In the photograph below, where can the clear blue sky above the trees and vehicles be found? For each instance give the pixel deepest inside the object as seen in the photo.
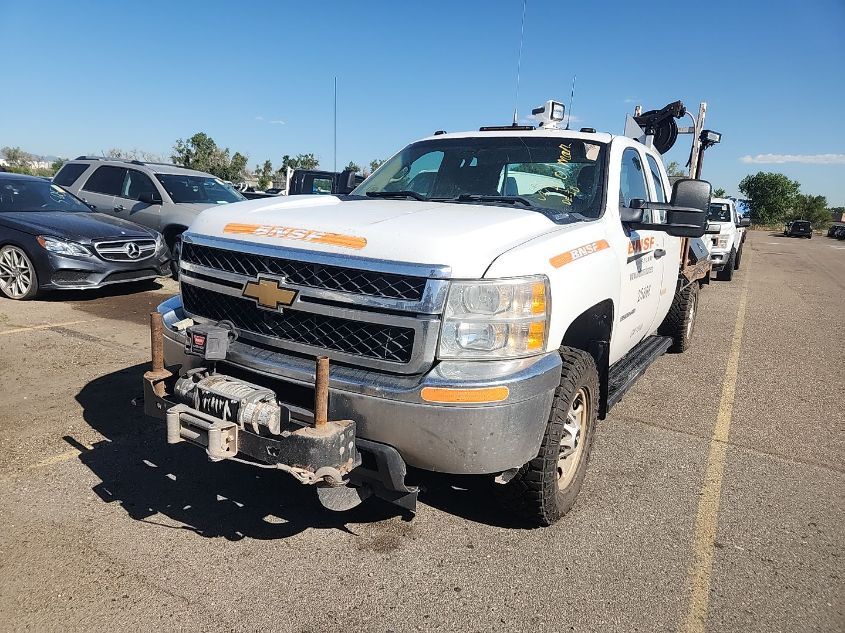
(87, 76)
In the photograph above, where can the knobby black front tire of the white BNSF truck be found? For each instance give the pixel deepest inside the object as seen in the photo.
(534, 493)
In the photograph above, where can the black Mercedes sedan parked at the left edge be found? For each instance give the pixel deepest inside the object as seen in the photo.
(50, 239)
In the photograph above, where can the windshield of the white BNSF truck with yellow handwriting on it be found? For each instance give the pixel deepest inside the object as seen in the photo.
(554, 173)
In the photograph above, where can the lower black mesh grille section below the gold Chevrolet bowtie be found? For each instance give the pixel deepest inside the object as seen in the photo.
(370, 340)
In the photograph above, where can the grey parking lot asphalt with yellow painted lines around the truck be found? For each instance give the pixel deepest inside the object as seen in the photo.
(714, 499)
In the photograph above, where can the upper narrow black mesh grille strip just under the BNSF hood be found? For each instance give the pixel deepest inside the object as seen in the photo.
(324, 276)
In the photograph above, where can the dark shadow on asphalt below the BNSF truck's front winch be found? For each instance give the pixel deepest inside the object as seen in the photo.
(175, 486)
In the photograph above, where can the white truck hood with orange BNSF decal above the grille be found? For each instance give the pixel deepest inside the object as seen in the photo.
(466, 237)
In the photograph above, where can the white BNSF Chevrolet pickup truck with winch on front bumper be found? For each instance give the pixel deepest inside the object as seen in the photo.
(483, 298)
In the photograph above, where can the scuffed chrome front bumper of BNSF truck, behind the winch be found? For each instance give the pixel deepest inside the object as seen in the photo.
(457, 438)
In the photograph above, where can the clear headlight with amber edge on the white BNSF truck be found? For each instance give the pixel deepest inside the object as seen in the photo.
(495, 319)
